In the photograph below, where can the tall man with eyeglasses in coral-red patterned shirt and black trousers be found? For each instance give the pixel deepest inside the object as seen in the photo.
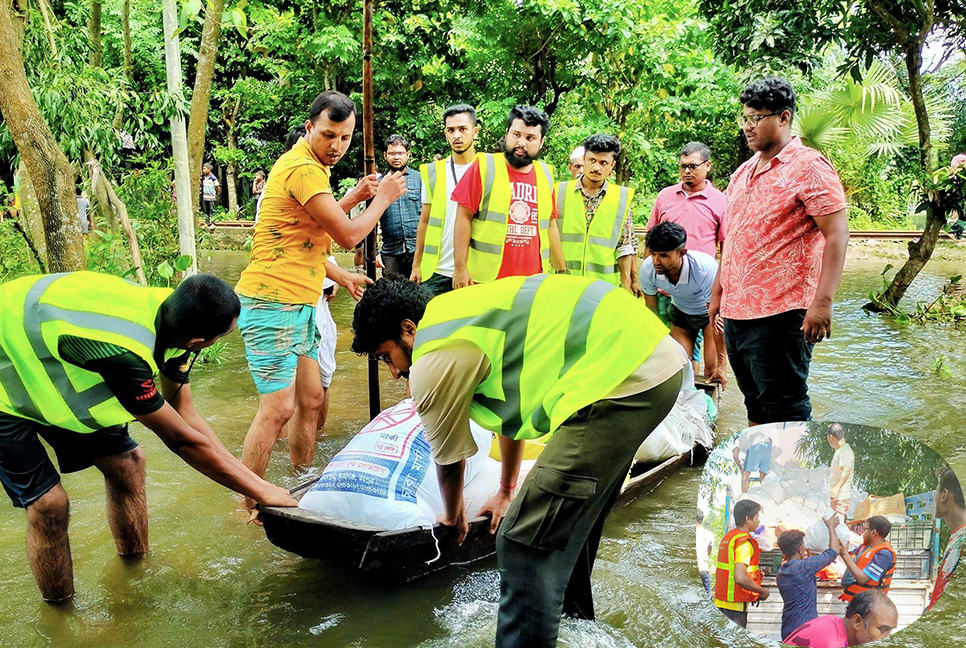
(782, 260)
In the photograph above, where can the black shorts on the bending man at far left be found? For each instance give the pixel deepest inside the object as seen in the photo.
(25, 468)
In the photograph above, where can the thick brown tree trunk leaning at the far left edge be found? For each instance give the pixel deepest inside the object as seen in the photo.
(50, 172)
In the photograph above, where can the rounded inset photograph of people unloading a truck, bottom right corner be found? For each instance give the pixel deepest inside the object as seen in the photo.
(827, 534)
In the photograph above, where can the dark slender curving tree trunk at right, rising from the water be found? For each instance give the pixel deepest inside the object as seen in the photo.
(919, 251)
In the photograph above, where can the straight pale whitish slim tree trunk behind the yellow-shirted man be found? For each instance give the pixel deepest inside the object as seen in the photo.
(179, 141)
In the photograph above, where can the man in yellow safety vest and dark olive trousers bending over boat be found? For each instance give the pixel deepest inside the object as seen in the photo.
(572, 359)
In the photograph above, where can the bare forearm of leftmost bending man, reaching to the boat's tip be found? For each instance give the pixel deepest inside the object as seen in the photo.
(211, 459)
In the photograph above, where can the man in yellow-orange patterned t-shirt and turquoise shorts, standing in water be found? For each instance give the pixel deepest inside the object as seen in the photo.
(298, 220)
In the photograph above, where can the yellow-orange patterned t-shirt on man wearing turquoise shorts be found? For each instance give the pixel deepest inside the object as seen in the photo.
(289, 247)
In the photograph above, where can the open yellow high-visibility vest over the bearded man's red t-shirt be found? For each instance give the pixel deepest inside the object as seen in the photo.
(489, 229)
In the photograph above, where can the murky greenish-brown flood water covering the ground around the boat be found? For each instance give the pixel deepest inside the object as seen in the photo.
(211, 580)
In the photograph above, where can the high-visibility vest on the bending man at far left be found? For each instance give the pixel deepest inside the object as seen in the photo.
(35, 381)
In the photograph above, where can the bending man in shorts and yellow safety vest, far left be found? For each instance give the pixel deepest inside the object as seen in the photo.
(79, 355)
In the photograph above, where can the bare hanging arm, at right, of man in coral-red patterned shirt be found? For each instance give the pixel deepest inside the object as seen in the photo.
(818, 318)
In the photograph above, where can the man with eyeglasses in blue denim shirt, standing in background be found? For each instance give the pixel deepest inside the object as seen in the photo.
(401, 219)
